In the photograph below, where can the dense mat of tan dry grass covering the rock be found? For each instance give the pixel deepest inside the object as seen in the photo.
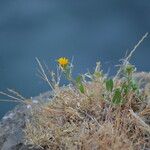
(87, 121)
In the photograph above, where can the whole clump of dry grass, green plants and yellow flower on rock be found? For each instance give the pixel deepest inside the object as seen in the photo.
(92, 112)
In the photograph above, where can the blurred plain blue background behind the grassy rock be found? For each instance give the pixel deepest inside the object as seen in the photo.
(89, 30)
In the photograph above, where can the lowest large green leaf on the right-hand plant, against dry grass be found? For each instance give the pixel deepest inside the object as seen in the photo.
(117, 98)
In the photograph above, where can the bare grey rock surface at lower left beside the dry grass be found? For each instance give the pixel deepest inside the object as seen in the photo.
(13, 123)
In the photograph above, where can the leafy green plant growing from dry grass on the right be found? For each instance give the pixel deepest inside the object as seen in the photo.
(118, 93)
